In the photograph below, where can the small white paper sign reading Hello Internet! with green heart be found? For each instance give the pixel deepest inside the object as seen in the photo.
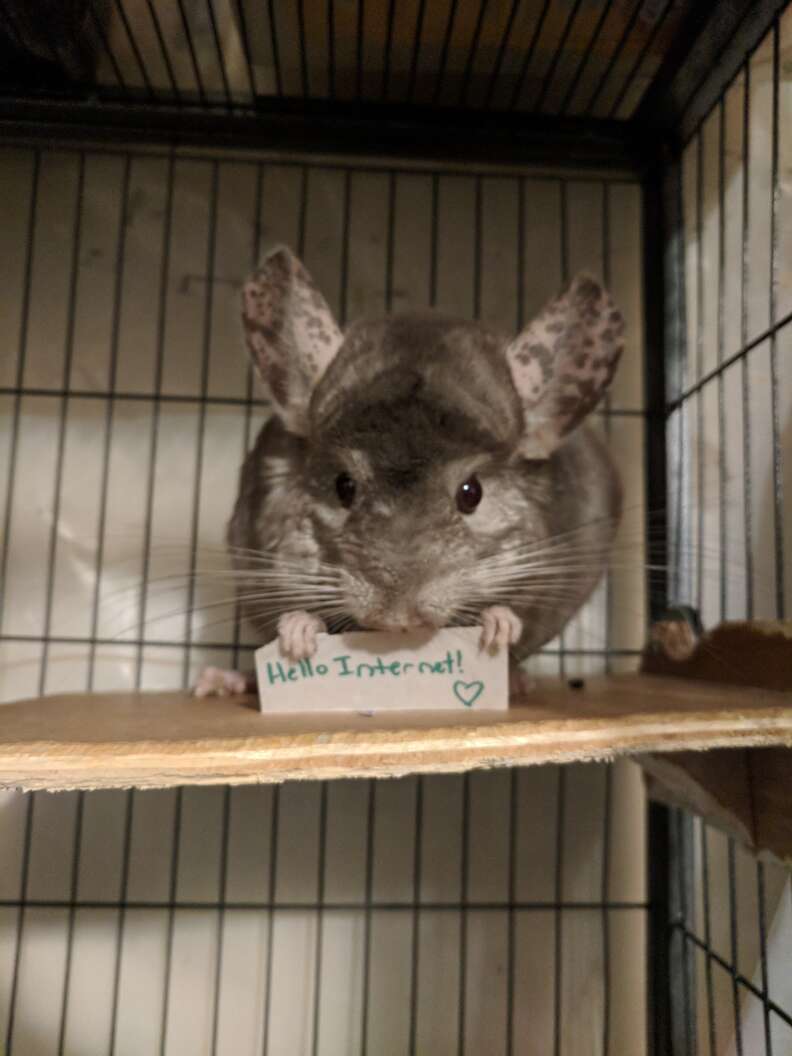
(386, 672)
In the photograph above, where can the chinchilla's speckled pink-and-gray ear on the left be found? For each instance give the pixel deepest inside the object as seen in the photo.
(291, 334)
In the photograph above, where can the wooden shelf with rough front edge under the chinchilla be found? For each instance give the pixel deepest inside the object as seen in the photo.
(162, 740)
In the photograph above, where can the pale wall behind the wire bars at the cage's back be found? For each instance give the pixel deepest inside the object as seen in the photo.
(126, 299)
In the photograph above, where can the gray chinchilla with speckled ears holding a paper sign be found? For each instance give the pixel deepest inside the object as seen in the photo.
(421, 470)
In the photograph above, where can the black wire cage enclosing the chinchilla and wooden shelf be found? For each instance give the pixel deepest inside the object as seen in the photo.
(466, 156)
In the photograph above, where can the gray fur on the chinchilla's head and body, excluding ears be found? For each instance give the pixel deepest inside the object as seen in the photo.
(410, 407)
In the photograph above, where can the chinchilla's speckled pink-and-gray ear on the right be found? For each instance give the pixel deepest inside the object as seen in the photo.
(563, 363)
